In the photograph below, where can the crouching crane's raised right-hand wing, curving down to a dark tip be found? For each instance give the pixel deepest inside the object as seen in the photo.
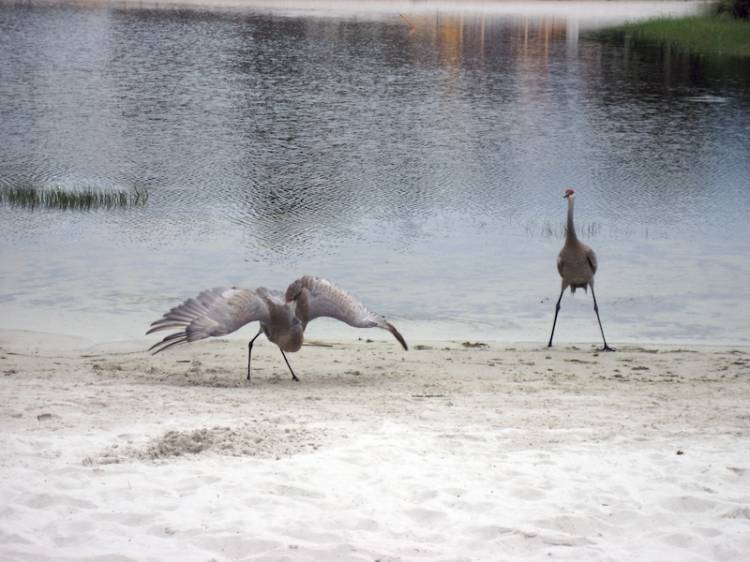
(323, 298)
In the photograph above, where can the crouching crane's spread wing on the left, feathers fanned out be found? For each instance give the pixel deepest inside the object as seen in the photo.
(214, 312)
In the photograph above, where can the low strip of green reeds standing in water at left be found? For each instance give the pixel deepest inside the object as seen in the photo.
(84, 199)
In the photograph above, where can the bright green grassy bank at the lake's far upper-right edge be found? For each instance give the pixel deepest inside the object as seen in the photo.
(711, 35)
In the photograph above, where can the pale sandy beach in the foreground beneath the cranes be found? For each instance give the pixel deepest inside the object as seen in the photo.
(499, 452)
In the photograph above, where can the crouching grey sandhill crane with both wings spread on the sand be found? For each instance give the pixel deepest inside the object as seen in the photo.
(283, 317)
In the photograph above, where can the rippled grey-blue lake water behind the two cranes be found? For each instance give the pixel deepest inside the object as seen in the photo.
(414, 154)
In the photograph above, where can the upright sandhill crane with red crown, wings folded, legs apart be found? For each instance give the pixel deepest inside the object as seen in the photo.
(576, 264)
